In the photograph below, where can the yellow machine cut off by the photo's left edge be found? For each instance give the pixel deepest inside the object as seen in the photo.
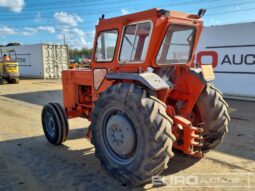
(9, 69)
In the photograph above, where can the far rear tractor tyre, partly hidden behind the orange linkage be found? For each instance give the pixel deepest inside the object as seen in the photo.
(213, 111)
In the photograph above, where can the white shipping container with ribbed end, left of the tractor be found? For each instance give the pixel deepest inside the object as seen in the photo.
(41, 60)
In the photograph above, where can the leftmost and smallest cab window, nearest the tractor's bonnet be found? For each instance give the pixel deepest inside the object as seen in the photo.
(106, 44)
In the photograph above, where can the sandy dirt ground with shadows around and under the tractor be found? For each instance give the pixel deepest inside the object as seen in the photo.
(28, 162)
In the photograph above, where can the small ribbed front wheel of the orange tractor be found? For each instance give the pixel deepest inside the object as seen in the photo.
(55, 124)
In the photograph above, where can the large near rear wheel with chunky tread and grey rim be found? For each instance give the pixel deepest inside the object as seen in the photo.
(131, 133)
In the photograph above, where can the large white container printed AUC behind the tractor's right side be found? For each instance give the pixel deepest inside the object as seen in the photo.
(235, 47)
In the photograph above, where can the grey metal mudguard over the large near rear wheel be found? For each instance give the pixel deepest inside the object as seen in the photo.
(150, 80)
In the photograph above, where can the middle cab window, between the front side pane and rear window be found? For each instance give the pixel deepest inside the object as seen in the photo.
(135, 42)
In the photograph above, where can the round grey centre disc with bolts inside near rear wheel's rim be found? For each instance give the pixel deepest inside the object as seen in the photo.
(121, 136)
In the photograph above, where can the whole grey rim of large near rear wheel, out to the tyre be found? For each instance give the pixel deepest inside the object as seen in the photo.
(120, 136)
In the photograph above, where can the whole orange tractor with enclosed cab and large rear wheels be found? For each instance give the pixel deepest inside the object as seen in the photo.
(143, 95)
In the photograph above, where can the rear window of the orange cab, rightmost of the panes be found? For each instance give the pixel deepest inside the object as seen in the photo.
(177, 45)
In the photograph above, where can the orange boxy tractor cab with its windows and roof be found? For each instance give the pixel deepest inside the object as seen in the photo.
(153, 38)
